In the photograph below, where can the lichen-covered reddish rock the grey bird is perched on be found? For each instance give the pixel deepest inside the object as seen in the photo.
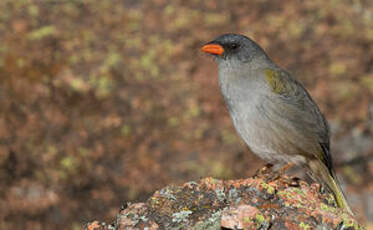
(261, 202)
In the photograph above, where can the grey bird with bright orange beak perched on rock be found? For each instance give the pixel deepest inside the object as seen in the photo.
(272, 112)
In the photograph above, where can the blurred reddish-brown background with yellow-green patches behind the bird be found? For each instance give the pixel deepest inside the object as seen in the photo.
(103, 102)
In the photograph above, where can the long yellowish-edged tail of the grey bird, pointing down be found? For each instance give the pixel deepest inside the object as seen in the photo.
(329, 179)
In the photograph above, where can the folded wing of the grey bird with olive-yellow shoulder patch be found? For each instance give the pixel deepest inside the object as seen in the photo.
(297, 105)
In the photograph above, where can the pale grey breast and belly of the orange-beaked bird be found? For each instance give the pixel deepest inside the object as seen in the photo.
(270, 136)
